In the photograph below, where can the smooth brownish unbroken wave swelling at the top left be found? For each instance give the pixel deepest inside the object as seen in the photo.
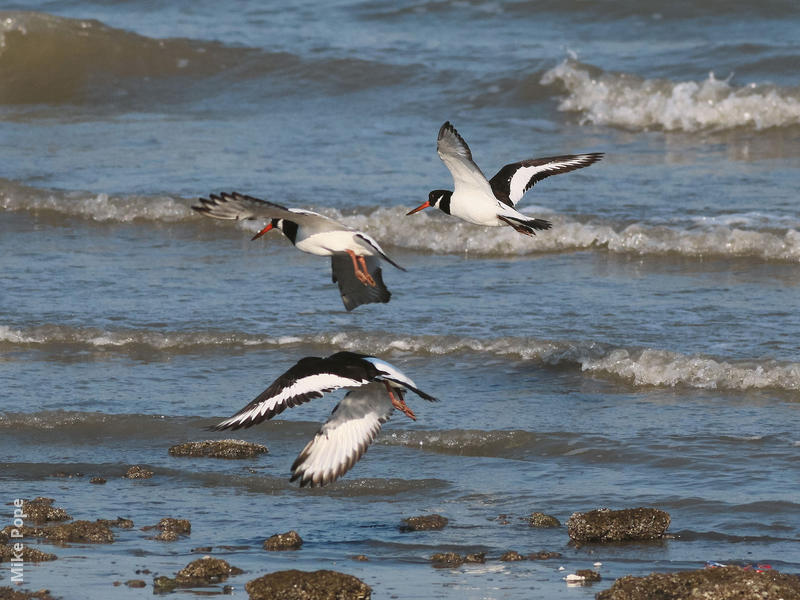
(46, 58)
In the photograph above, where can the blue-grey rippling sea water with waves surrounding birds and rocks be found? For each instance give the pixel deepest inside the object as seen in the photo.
(643, 352)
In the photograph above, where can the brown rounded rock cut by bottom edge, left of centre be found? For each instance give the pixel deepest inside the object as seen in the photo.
(303, 585)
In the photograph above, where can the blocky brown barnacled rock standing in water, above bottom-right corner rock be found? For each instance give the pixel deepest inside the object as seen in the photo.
(606, 525)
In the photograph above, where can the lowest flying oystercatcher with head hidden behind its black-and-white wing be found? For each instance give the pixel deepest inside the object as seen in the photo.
(377, 388)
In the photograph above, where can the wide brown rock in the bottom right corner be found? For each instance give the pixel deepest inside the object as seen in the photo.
(721, 583)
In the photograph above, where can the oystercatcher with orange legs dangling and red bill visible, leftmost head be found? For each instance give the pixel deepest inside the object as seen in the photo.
(355, 256)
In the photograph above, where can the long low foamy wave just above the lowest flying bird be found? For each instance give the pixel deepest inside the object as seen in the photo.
(638, 367)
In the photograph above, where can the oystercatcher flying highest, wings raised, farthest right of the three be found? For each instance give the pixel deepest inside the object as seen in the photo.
(492, 202)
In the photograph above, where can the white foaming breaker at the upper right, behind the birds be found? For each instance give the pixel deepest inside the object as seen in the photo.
(631, 102)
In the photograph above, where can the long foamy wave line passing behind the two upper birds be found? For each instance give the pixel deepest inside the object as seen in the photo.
(776, 238)
